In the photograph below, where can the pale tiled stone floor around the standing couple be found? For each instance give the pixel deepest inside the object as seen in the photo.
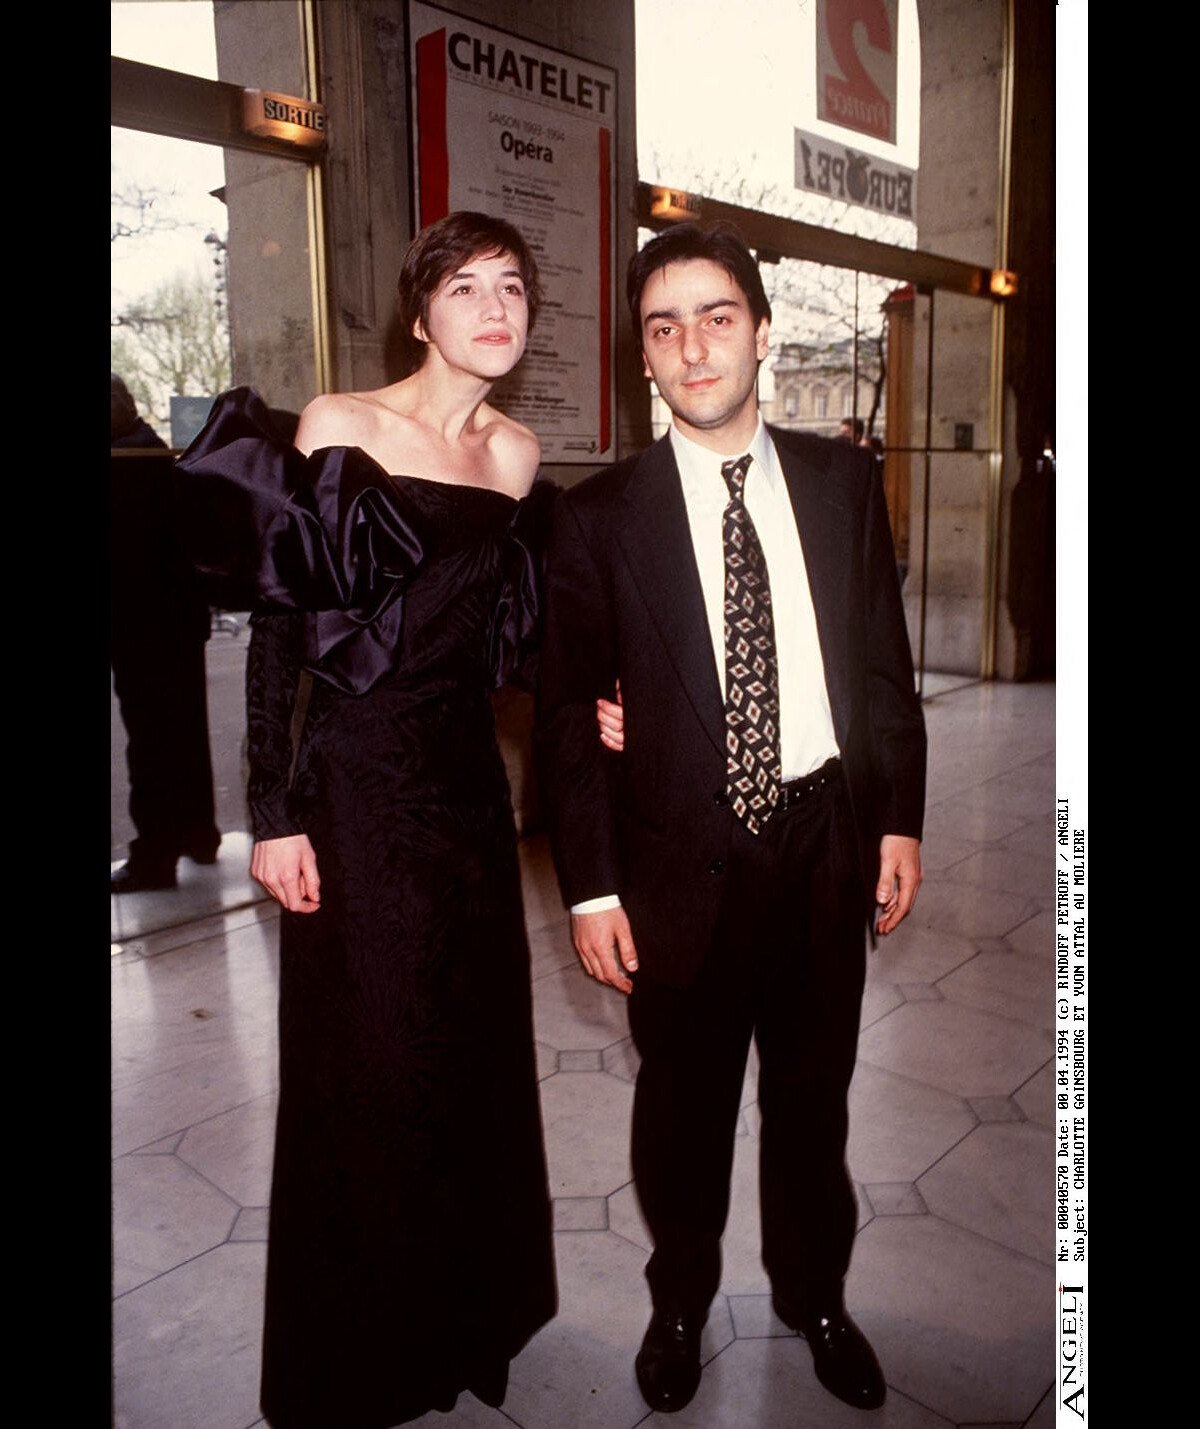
(949, 1147)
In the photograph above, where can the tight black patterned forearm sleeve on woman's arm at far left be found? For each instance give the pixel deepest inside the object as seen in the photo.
(272, 678)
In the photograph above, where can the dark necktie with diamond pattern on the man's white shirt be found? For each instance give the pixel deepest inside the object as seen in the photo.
(754, 767)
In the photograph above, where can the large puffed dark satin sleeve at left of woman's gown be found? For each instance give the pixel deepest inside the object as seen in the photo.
(328, 534)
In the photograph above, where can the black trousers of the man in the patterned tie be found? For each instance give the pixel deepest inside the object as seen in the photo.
(788, 970)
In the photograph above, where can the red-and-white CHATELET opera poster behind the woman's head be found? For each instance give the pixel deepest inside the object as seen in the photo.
(526, 134)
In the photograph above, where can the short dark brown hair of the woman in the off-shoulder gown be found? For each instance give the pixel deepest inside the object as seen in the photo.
(442, 249)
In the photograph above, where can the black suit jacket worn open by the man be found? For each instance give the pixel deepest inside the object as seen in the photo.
(625, 602)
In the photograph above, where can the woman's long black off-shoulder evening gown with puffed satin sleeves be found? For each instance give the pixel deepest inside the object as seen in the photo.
(411, 1245)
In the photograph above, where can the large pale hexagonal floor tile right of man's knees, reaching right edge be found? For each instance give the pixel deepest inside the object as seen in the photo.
(955, 1048)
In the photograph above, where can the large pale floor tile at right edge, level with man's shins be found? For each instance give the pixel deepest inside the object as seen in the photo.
(995, 1182)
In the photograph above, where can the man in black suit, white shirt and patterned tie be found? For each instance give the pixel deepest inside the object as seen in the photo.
(739, 584)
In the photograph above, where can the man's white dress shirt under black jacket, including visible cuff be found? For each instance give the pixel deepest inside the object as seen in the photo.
(805, 718)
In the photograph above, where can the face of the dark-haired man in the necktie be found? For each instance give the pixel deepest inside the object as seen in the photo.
(702, 348)
